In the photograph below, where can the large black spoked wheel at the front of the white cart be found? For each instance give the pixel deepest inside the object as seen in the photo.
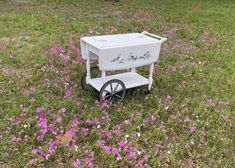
(113, 90)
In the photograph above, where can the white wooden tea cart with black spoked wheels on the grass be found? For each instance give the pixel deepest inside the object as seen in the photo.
(119, 52)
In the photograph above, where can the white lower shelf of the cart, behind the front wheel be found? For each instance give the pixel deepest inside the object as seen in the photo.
(130, 79)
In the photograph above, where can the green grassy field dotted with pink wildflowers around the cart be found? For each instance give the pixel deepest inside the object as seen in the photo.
(47, 120)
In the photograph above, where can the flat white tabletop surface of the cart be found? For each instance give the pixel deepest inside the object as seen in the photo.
(119, 40)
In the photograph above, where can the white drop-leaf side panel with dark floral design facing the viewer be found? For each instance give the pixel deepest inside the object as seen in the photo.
(128, 57)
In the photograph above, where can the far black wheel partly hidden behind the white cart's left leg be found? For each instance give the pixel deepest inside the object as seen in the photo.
(94, 73)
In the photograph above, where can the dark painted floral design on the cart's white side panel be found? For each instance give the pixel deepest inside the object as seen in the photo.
(131, 58)
